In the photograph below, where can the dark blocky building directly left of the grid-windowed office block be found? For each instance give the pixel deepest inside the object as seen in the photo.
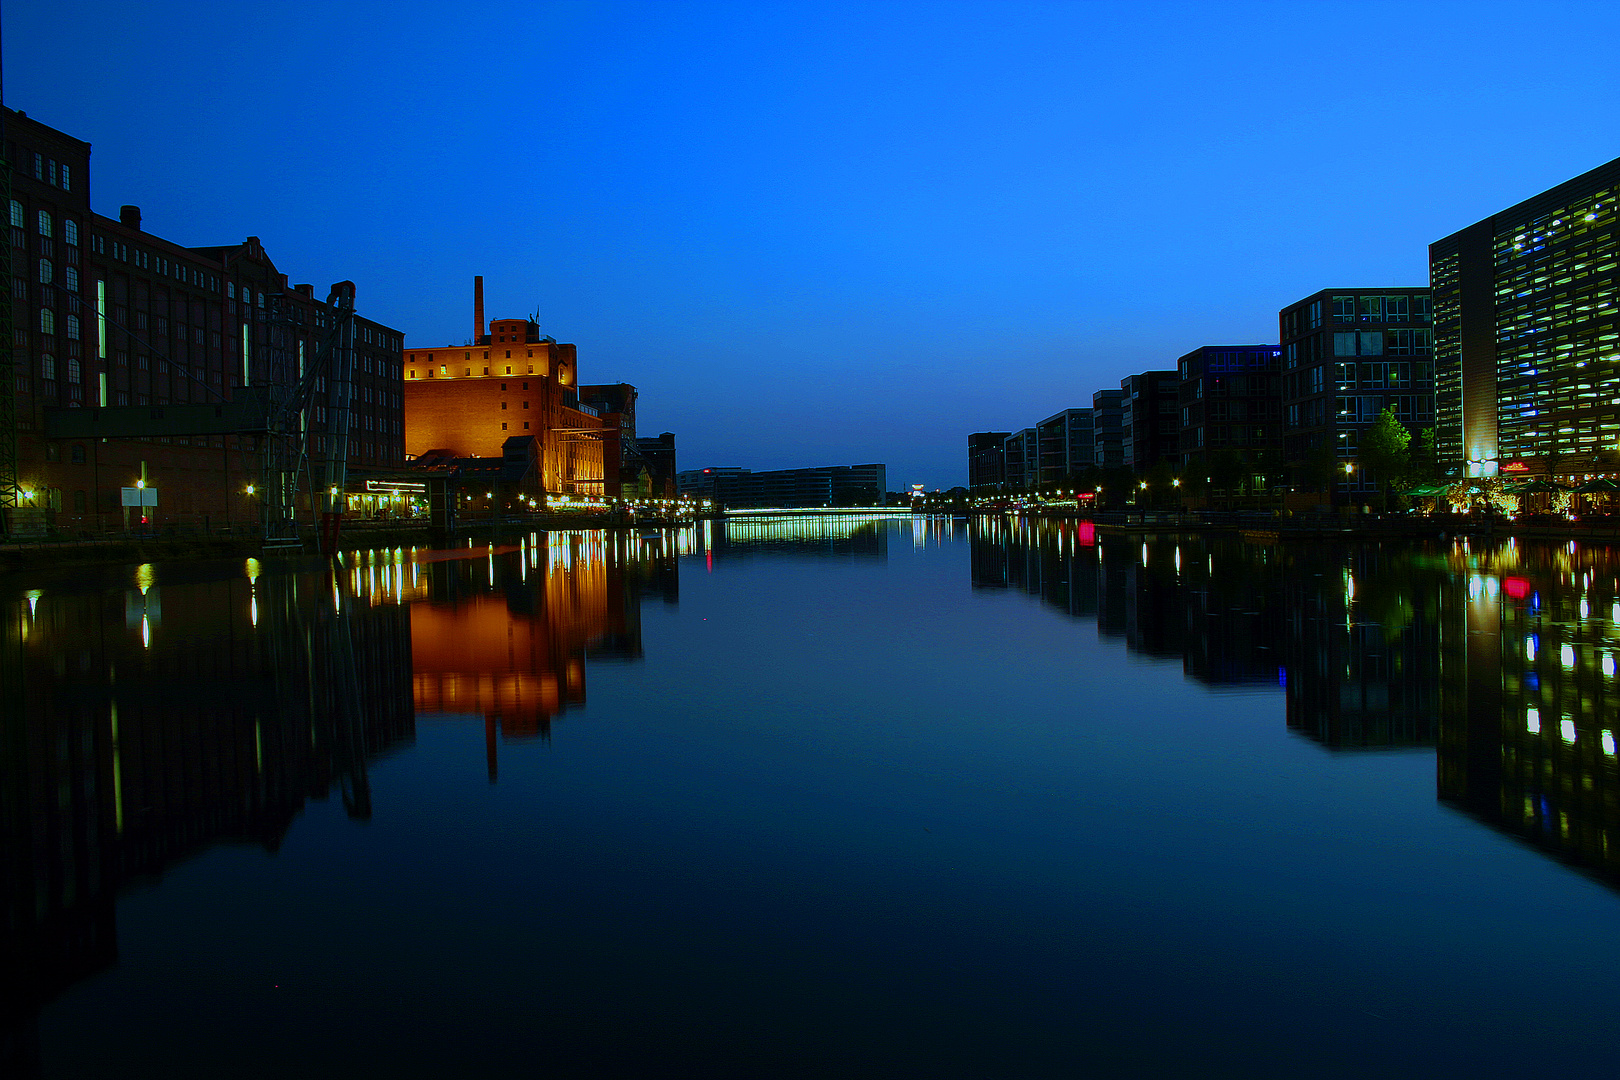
(1232, 399)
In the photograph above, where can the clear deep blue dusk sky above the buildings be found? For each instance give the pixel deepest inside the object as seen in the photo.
(830, 232)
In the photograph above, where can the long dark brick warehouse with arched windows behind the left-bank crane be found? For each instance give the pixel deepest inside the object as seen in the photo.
(108, 315)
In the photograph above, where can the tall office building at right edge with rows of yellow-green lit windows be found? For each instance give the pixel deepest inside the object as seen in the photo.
(1528, 334)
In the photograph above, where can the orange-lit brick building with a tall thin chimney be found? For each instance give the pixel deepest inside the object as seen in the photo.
(469, 401)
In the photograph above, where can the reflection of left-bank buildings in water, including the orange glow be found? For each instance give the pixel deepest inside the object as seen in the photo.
(148, 723)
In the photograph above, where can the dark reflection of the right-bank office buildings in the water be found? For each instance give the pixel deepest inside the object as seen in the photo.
(1501, 657)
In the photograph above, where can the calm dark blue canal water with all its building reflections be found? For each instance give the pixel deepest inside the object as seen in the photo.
(825, 799)
